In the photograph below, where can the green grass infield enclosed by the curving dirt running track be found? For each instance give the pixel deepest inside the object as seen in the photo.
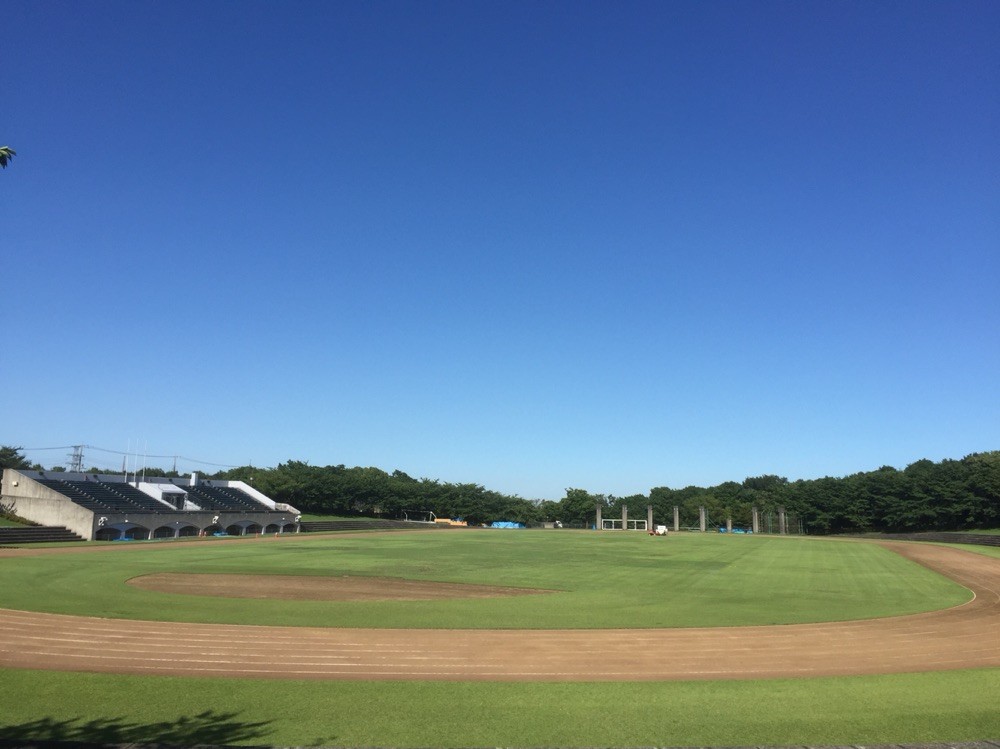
(599, 579)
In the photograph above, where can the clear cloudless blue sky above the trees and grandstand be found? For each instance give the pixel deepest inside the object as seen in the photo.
(532, 245)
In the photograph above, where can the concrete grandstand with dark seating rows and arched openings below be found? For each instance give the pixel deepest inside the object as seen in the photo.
(110, 507)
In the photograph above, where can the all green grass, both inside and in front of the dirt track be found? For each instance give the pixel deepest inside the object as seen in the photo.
(605, 579)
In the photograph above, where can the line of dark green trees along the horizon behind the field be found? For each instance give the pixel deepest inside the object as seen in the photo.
(925, 496)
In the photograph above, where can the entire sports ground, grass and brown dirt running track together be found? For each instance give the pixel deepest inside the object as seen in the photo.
(630, 612)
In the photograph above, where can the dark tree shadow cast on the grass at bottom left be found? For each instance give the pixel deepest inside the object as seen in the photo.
(208, 727)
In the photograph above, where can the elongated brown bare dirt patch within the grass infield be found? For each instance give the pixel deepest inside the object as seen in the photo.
(300, 588)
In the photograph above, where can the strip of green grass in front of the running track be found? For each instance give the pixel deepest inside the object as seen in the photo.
(914, 708)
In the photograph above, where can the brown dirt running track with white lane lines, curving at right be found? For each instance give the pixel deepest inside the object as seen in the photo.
(966, 636)
